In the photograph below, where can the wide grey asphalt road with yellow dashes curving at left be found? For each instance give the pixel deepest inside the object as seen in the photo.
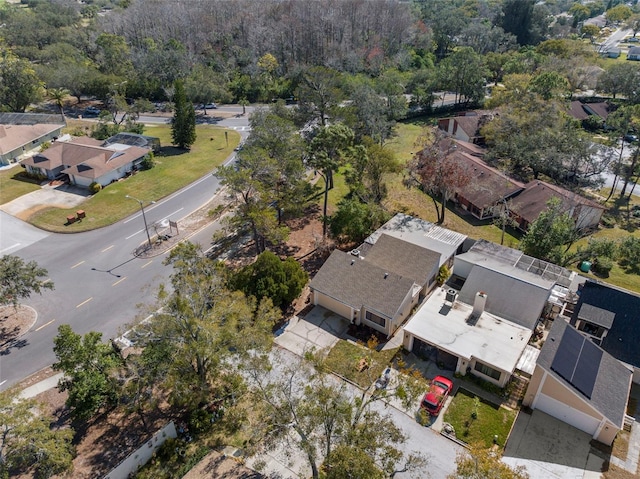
(99, 284)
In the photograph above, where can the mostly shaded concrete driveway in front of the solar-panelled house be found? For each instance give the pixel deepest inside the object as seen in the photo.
(551, 449)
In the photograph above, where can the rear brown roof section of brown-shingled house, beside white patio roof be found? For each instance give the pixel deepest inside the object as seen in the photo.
(404, 258)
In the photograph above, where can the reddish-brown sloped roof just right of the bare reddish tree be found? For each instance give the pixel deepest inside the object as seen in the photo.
(487, 185)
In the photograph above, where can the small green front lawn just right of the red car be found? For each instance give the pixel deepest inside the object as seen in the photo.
(490, 421)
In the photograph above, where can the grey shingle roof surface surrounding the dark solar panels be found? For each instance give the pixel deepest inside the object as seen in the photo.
(612, 382)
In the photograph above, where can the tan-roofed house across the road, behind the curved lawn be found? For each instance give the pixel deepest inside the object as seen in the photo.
(84, 161)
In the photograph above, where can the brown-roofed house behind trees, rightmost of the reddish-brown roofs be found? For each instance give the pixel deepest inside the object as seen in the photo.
(528, 204)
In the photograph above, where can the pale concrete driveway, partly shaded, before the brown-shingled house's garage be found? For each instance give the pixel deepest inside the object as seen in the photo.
(319, 329)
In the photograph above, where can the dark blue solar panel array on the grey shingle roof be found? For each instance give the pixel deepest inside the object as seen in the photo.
(577, 361)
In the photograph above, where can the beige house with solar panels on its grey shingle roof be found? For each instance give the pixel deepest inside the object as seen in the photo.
(579, 383)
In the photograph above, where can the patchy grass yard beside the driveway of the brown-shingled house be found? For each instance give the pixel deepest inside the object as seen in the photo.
(345, 356)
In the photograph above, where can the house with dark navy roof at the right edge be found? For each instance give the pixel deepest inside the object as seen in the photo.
(610, 317)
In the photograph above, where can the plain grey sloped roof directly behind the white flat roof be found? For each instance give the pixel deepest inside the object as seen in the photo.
(518, 297)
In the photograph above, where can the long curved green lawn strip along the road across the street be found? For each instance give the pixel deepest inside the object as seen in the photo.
(174, 169)
